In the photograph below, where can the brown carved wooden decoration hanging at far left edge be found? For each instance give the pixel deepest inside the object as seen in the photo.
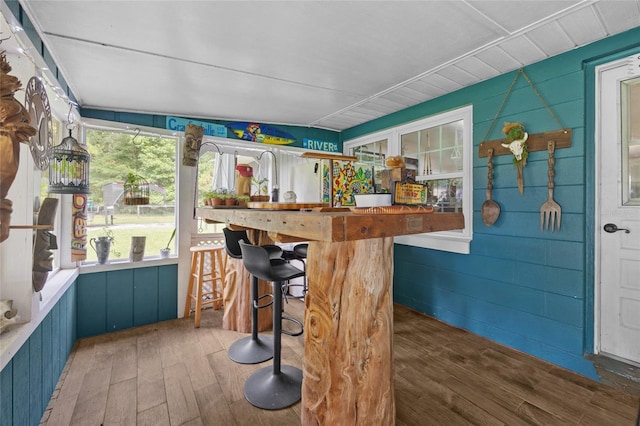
(14, 128)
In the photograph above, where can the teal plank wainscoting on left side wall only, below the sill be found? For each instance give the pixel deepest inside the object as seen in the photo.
(29, 379)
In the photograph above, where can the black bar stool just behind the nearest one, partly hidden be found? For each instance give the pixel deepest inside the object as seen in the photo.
(251, 349)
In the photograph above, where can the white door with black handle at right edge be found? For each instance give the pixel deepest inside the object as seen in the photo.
(618, 215)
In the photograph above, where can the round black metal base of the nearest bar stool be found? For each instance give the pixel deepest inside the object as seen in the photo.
(270, 391)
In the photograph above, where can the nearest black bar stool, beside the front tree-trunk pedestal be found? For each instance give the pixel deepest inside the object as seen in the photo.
(280, 386)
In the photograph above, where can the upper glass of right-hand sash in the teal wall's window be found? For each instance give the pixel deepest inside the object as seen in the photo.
(436, 150)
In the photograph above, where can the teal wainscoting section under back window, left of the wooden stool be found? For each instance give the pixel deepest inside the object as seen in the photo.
(116, 300)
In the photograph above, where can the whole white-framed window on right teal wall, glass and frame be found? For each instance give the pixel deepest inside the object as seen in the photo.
(439, 149)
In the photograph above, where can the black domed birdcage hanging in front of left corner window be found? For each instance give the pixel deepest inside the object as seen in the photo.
(69, 168)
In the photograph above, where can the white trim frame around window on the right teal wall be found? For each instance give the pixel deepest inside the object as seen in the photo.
(452, 241)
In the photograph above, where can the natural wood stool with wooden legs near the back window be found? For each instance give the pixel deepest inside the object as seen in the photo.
(206, 285)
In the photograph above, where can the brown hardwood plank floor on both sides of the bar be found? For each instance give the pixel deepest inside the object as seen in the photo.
(170, 373)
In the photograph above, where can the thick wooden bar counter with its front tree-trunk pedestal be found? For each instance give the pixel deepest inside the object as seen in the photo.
(348, 326)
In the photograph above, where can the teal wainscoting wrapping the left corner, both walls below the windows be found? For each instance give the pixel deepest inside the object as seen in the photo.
(95, 304)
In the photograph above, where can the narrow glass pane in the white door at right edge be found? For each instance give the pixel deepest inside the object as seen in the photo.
(631, 142)
